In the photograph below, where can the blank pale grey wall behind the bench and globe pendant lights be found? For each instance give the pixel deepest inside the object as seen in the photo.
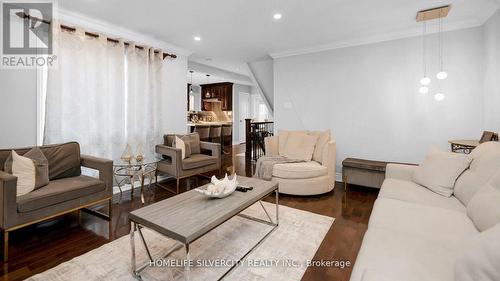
(368, 96)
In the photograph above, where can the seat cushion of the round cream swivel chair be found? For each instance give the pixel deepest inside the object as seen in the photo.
(301, 170)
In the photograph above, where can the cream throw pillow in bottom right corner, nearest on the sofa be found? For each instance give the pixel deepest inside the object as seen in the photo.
(481, 260)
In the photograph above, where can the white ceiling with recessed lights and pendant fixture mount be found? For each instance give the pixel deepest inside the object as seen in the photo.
(234, 32)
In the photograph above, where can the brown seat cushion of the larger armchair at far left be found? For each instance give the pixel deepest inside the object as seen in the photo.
(58, 191)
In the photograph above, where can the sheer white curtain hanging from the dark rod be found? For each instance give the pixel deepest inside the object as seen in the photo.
(103, 95)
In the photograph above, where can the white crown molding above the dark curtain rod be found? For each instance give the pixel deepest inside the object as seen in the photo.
(95, 25)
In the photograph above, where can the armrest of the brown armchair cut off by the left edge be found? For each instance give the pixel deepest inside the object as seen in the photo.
(8, 199)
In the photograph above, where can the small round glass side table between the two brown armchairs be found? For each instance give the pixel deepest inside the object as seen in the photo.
(134, 170)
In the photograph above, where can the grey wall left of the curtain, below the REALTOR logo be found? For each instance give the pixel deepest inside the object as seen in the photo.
(17, 108)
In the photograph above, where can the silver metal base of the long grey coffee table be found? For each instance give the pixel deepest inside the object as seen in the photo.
(136, 271)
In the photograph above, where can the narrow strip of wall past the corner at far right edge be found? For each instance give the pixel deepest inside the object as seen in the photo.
(492, 73)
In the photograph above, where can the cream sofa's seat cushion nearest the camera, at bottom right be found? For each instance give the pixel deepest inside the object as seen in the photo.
(404, 256)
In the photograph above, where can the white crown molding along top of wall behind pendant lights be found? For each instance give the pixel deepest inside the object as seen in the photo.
(400, 34)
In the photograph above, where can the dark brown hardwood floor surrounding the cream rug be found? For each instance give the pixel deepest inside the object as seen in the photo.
(37, 248)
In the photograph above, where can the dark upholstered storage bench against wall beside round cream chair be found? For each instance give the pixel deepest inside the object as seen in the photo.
(363, 172)
